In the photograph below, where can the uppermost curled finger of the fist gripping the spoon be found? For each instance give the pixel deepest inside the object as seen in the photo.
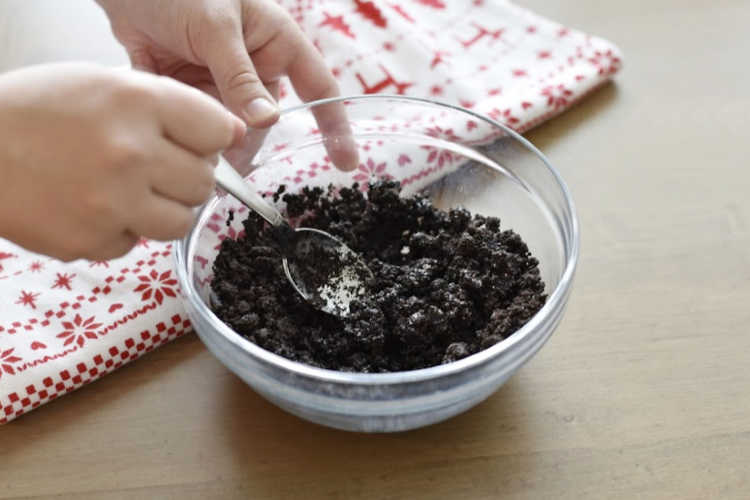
(195, 121)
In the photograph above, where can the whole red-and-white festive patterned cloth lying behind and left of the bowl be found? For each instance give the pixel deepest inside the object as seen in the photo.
(64, 325)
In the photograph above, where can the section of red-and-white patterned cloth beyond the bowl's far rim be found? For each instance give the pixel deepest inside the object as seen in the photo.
(490, 56)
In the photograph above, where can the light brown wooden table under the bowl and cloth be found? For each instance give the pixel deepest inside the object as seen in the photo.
(643, 392)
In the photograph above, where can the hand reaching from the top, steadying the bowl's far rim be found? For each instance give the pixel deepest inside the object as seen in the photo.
(235, 50)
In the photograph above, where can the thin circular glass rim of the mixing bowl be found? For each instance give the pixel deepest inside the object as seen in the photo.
(554, 302)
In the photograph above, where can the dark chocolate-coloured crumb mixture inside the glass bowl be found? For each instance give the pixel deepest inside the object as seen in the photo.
(446, 284)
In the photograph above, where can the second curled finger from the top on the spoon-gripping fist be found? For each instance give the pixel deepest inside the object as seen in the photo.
(181, 176)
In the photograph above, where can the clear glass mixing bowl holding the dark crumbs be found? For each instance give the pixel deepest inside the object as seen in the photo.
(457, 158)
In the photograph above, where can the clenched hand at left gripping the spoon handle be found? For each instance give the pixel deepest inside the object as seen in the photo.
(91, 158)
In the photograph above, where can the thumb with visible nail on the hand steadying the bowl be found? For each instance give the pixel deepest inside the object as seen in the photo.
(241, 90)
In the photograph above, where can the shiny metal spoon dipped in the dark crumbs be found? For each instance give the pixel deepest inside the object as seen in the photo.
(306, 251)
